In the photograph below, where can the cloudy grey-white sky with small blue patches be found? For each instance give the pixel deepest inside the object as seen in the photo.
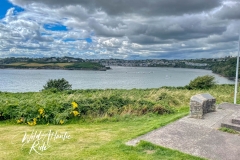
(122, 29)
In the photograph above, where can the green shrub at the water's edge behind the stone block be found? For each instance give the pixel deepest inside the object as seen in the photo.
(202, 82)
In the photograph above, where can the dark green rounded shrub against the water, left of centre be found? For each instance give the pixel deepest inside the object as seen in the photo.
(57, 85)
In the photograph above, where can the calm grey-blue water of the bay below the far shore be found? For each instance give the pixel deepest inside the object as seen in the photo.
(15, 80)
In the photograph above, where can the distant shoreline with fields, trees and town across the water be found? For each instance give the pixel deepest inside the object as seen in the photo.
(224, 66)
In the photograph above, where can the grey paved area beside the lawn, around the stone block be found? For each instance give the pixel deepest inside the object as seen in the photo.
(199, 137)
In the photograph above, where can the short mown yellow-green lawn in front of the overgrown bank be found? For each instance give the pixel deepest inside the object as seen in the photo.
(92, 140)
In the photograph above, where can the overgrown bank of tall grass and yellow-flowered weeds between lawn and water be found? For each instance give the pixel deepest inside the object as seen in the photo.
(58, 108)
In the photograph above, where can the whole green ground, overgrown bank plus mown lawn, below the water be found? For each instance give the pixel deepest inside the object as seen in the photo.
(106, 119)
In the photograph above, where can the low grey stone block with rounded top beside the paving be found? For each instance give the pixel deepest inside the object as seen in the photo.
(201, 104)
